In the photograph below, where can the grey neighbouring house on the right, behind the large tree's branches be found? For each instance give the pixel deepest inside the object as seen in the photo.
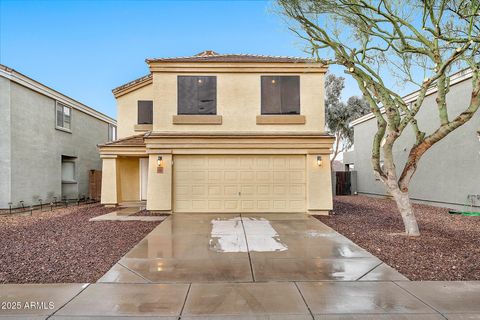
(449, 172)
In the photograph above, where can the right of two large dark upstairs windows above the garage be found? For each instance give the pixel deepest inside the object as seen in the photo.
(280, 95)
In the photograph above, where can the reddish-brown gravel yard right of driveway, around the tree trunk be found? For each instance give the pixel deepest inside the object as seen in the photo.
(448, 248)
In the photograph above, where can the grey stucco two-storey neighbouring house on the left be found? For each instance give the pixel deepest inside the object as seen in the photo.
(48, 142)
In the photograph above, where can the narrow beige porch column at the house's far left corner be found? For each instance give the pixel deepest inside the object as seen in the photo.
(109, 180)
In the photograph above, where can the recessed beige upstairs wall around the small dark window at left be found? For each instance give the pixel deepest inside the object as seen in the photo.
(127, 110)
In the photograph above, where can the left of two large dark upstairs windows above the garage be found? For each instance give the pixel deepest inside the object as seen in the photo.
(197, 95)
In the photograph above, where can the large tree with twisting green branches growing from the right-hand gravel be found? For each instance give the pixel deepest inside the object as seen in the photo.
(419, 42)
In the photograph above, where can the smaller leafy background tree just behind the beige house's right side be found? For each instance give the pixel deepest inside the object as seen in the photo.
(339, 114)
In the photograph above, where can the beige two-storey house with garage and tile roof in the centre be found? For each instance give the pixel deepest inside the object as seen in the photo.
(222, 133)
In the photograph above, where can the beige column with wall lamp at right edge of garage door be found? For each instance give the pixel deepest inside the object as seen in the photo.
(319, 184)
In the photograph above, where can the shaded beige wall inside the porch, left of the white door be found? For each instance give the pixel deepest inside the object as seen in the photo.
(128, 179)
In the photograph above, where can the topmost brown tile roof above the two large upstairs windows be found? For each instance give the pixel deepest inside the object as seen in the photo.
(212, 56)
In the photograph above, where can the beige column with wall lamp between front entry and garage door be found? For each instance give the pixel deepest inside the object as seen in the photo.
(159, 189)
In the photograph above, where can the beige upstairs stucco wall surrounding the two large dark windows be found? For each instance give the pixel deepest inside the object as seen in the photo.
(238, 102)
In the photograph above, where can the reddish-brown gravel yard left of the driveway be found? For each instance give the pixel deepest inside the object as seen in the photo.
(63, 246)
